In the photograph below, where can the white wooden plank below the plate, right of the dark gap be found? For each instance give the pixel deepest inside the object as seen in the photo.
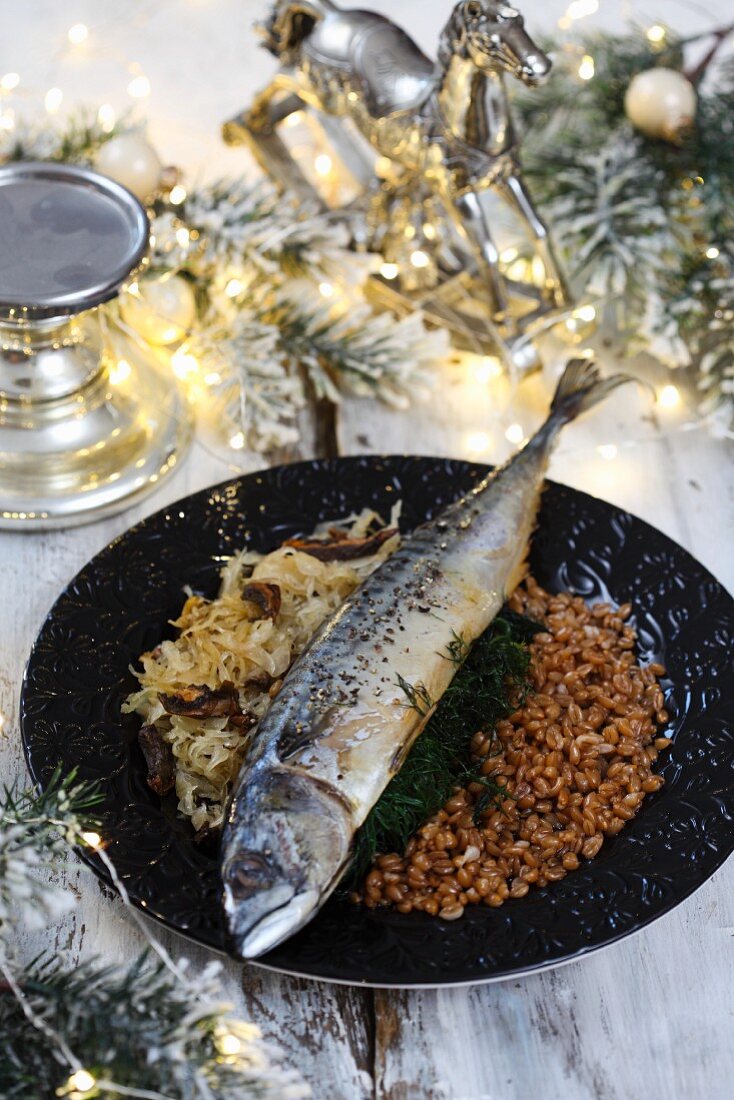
(645, 1020)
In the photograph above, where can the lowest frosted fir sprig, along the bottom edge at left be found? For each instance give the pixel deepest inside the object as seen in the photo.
(139, 1035)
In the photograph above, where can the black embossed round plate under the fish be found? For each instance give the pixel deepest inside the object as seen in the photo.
(120, 604)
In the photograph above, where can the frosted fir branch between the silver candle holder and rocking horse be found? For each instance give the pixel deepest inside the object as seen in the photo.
(260, 263)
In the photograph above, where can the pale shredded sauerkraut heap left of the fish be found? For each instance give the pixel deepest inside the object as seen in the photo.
(220, 643)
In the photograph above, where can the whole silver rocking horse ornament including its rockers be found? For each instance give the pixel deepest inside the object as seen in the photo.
(446, 133)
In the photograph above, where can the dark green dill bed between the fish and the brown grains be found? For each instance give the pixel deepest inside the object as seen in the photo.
(492, 681)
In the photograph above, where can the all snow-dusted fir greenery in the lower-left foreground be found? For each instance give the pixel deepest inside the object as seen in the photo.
(150, 1030)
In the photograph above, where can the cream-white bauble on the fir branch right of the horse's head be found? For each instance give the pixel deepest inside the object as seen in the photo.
(661, 103)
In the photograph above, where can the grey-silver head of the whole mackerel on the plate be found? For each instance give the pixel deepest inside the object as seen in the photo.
(286, 845)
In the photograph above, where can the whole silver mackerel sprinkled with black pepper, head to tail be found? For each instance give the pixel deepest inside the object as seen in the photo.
(342, 725)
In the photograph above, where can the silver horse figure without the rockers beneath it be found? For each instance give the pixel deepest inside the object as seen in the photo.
(446, 125)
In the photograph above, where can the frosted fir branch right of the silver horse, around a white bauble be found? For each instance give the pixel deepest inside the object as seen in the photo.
(647, 226)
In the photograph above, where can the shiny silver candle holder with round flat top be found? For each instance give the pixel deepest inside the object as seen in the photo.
(83, 432)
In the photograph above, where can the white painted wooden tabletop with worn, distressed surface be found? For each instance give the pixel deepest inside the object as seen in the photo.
(649, 1019)
